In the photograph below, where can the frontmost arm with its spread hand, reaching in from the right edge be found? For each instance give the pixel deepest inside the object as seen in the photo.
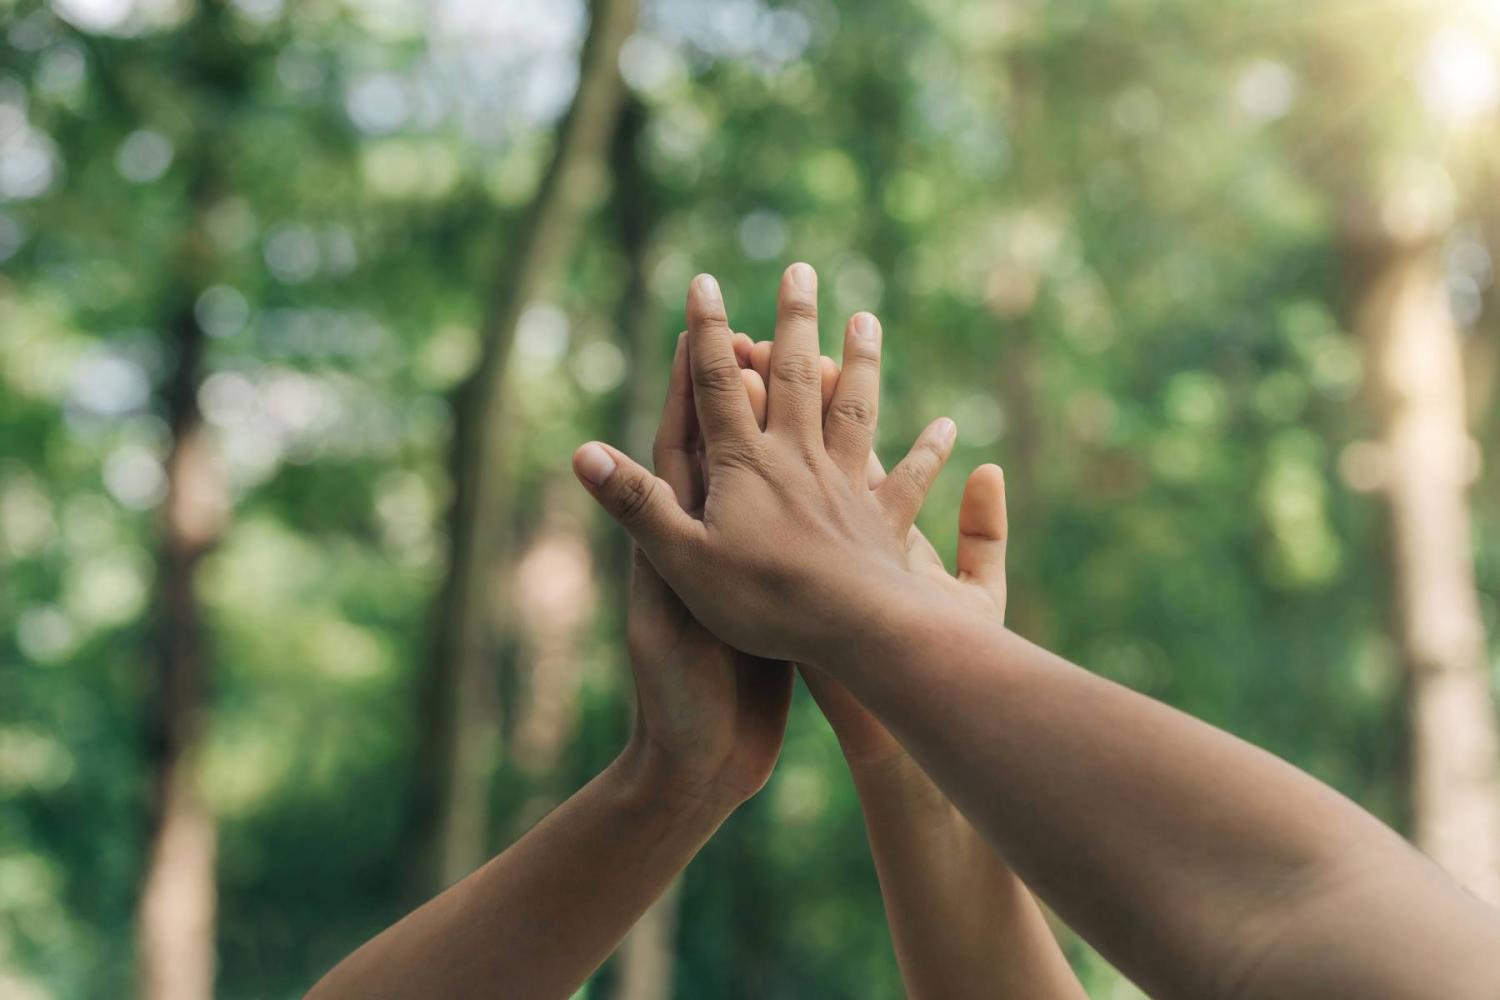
(1201, 866)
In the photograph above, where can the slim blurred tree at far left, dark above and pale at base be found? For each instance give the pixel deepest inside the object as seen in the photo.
(178, 906)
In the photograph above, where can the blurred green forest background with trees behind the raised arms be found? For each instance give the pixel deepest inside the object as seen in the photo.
(304, 308)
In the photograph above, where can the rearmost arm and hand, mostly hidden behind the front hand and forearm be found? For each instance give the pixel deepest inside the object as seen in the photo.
(964, 926)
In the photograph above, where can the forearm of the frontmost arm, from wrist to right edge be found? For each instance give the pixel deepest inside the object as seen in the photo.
(1184, 855)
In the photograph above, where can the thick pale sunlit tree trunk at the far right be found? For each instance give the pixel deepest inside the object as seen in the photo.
(1415, 367)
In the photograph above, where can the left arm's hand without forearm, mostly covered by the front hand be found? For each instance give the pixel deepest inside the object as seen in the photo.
(709, 716)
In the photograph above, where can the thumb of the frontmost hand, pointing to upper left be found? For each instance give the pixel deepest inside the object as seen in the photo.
(641, 503)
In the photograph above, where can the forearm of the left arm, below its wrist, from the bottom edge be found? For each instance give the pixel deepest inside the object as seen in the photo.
(541, 918)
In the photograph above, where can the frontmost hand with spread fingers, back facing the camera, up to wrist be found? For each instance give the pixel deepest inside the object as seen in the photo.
(794, 548)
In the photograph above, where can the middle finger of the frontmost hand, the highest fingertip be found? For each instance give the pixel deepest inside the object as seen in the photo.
(796, 382)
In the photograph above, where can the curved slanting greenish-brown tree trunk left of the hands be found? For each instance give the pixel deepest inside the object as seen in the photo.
(461, 701)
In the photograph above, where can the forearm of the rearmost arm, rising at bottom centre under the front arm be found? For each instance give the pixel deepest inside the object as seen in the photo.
(962, 923)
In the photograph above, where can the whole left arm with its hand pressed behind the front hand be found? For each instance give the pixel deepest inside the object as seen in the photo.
(539, 920)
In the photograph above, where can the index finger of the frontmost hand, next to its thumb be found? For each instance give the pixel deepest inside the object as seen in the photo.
(724, 413)
